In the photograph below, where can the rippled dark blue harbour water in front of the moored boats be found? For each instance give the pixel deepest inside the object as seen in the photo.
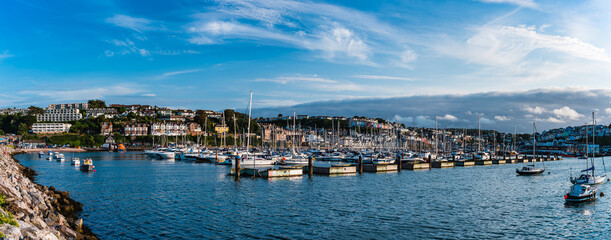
(132, 197)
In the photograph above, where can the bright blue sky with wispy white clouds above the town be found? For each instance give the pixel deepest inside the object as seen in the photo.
(510, 62)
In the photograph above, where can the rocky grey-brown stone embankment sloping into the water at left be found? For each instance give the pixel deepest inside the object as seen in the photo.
(31, 211)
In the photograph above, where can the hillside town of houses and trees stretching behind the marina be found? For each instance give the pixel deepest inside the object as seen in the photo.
(95, 125)
